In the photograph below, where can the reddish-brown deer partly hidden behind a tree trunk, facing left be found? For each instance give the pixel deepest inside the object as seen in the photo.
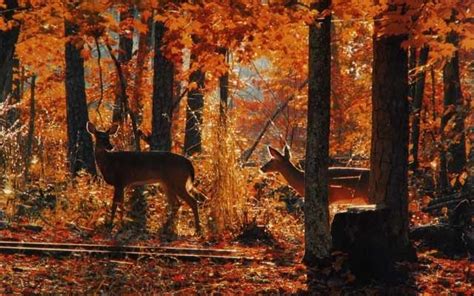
(345, 183)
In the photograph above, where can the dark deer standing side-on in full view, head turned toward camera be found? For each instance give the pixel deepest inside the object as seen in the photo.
(174, 173)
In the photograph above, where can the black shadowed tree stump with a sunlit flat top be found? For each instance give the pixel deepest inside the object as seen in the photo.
(363, 233)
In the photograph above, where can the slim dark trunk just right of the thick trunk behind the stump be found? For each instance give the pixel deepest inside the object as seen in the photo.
(417, 104)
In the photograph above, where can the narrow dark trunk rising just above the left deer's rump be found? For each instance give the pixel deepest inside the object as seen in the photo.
(194, 108)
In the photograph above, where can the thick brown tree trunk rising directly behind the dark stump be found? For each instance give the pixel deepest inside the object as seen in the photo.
(390, 131)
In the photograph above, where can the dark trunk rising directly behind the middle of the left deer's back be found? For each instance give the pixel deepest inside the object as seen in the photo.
(163, 79)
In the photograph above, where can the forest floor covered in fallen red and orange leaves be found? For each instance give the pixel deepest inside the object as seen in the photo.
(278, 272)
